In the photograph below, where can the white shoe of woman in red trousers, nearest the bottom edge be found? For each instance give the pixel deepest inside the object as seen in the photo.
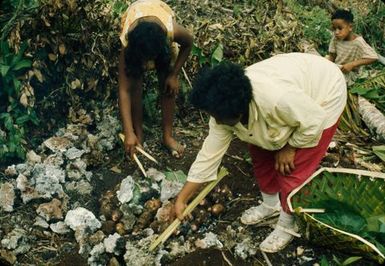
(279, 238)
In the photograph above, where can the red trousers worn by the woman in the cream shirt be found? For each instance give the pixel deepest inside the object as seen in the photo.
(306, 162)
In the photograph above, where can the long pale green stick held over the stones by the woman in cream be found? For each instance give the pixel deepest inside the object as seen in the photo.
(172, 227)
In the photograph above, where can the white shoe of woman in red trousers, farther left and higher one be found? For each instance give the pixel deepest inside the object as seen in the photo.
(259, 213)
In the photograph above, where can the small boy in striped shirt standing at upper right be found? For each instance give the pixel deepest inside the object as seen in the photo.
(346, 49)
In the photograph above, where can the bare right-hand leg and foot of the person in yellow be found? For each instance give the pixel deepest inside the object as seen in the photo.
(168, 110)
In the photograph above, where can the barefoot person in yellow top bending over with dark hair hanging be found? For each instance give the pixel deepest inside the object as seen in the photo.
(151, 39)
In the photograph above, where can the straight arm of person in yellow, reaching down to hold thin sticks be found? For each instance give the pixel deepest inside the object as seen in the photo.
(125, 83)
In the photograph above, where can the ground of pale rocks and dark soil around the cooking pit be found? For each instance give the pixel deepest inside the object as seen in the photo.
(77, 200)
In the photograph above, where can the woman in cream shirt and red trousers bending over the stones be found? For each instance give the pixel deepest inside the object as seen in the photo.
(287, 108)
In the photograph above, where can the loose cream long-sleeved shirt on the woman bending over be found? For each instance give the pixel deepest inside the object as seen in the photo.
(295, 97)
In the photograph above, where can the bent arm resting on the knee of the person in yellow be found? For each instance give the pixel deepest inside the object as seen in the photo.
(185, 40)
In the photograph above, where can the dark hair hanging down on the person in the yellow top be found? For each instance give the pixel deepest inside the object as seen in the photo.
(147, 41)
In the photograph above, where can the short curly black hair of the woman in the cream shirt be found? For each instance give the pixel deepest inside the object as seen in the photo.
(223, 91)
